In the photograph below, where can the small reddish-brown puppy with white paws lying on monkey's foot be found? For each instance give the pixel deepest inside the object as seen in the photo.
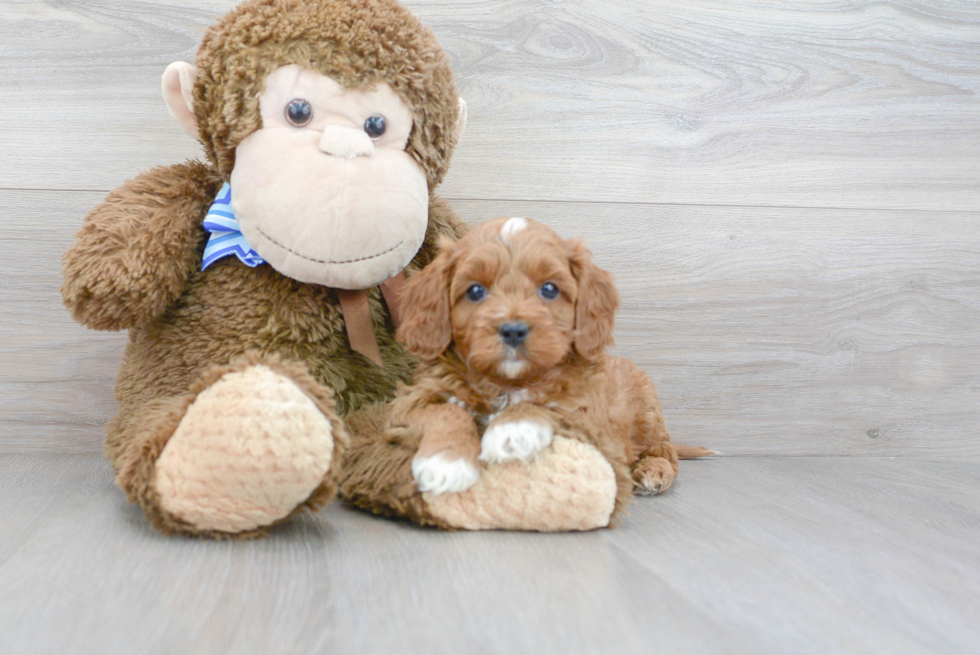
(512, 325)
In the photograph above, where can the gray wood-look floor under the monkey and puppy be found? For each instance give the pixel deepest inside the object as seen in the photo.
(749, 555)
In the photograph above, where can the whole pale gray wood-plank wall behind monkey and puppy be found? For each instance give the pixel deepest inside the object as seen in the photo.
(788, 194)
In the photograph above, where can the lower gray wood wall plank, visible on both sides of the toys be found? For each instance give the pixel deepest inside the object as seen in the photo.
(767, 331)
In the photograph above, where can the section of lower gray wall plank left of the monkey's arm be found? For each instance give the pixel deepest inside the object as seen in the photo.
(56, 377)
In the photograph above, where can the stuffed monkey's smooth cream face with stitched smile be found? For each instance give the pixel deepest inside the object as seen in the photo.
(324, 191)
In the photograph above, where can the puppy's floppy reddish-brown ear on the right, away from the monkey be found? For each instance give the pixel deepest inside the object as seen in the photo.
(596, 304)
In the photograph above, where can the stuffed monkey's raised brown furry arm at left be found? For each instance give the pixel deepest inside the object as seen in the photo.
(132, 256)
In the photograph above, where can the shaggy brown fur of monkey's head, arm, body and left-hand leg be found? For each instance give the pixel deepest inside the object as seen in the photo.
(136, 262)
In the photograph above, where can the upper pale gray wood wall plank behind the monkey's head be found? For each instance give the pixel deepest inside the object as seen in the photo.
(844, 103)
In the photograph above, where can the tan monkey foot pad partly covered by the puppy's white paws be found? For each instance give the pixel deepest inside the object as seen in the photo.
(570, 486)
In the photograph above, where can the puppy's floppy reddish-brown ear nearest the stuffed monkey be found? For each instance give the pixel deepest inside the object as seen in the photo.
(426, 330)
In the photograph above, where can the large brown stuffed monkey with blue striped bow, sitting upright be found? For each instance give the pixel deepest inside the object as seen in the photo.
(260, 287)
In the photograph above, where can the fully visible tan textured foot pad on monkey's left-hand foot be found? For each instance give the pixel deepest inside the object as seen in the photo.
(250, 449)
